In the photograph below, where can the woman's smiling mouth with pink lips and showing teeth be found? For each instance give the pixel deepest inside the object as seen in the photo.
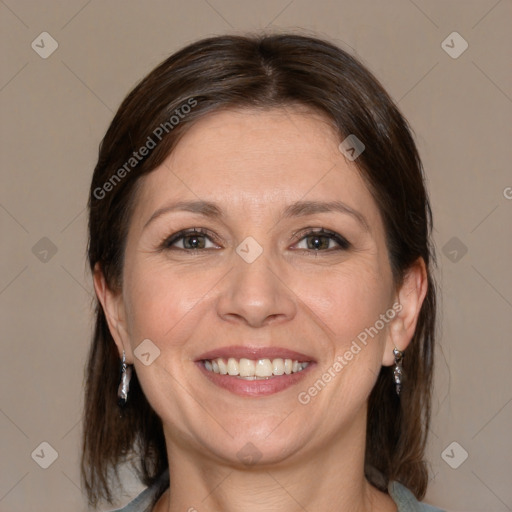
(255, 371)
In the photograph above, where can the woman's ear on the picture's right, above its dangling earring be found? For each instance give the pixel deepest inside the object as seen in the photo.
(409, 300)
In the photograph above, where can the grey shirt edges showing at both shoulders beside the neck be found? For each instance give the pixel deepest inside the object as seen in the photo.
(144, 502)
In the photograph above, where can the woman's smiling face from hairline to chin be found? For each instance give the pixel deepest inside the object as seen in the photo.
(257, 281)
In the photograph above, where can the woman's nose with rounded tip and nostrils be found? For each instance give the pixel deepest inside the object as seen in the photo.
(256, 294)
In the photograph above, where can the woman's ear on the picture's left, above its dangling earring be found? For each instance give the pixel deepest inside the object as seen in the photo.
(113, 307)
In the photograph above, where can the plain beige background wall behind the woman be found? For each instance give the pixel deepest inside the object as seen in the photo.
(54, 112)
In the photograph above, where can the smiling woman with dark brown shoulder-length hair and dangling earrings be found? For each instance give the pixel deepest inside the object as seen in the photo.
(260, 246)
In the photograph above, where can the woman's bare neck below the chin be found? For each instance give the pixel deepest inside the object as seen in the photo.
(325, 478)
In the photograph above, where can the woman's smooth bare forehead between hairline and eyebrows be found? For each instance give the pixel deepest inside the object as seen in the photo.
(254, 159)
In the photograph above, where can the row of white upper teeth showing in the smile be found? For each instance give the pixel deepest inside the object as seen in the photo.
(254, 369)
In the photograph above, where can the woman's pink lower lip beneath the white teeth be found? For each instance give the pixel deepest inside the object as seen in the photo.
(259, 387)
